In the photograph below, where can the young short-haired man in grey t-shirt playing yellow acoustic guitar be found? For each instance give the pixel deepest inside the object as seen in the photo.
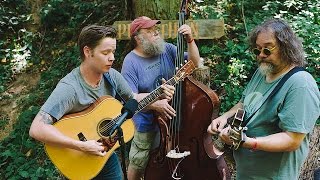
(82, 87)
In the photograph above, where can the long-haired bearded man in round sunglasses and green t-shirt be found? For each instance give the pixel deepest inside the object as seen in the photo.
(276, 142)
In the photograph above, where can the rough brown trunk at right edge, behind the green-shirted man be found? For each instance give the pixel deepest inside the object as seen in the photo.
(313, 160)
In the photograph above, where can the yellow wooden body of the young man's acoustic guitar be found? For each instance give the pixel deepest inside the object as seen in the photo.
(77, 164)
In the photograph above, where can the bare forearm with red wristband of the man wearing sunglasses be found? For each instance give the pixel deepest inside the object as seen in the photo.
(279, 142)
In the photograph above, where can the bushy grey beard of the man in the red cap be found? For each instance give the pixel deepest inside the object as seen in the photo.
(152, 48)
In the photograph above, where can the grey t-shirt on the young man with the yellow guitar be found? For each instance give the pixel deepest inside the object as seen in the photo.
(72, 94)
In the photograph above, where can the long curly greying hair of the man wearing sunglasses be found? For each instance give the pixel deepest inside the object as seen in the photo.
(290, 45)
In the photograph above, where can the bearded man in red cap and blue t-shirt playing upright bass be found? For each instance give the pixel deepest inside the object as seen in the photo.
(145, 67)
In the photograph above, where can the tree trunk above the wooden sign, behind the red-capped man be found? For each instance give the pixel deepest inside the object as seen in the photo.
(155, 9)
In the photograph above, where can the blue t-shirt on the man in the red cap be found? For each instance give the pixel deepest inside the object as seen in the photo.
(144, 75)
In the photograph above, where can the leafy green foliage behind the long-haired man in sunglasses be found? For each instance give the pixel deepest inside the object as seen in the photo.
(240, 17)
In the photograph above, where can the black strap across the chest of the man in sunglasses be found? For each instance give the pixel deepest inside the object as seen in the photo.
(274, 91)
